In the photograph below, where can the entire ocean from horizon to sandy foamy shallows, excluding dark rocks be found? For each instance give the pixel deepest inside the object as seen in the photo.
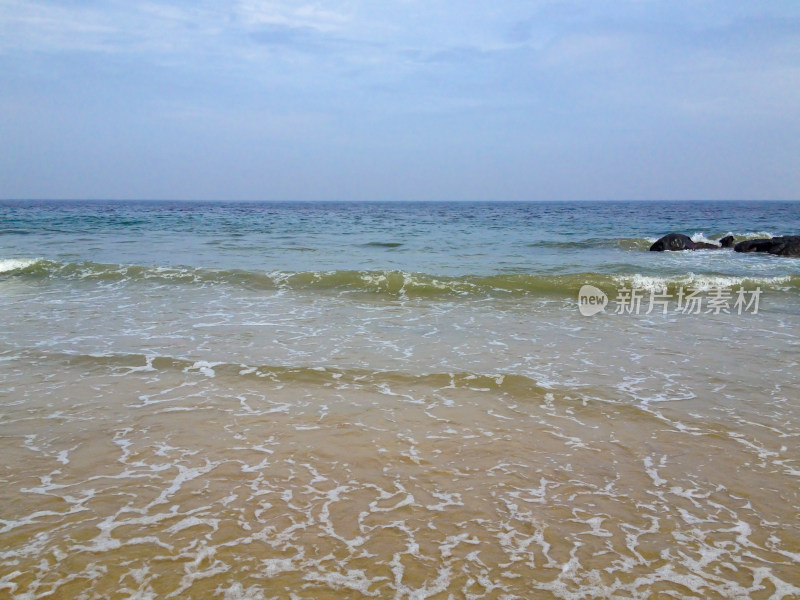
(250, 401)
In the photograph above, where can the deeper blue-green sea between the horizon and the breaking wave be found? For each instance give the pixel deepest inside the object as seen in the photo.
(438, 239)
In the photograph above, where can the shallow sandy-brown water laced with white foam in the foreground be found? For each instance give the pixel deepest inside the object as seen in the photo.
(382, 485)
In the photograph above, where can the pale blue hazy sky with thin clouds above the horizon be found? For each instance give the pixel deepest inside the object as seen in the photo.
(400, 99)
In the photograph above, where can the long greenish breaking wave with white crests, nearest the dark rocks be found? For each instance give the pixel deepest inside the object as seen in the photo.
(389, 283)
